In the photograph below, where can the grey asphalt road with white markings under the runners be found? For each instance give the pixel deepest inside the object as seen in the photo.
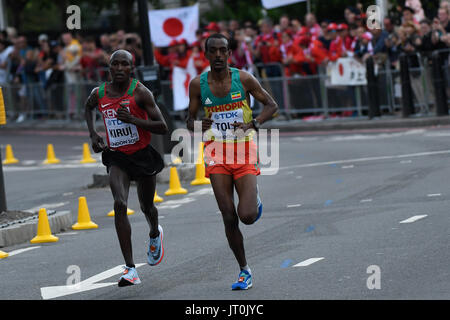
(347, 216)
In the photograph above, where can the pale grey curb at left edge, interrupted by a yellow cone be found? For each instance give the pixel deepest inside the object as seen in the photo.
(23, 232)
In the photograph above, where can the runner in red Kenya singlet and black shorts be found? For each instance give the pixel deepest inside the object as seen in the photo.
(130, 115)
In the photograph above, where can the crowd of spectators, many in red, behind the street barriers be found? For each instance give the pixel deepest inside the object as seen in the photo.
(299, 46)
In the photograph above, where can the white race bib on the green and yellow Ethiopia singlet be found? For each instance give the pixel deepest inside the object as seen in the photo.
(222, 128)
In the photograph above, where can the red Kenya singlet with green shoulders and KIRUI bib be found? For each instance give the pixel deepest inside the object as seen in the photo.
(121, 136)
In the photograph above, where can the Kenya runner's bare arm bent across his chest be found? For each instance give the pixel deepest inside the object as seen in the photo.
(145, 100)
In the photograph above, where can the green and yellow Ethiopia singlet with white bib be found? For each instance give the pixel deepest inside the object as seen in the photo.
(227, 110)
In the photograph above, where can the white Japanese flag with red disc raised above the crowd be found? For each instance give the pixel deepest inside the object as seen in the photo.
(173, 24)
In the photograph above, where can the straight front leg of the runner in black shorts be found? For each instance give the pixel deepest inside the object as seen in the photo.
(120, 185)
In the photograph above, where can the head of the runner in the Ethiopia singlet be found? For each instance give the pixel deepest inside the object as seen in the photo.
(217, 51)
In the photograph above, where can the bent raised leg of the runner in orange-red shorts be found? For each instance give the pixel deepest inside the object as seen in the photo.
(246, 190)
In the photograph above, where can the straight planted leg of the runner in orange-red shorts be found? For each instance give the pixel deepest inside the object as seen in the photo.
(223, 190)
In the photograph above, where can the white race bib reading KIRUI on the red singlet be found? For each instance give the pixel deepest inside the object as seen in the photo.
(121, 133)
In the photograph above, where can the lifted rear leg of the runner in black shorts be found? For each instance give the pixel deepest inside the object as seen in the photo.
(146, 190)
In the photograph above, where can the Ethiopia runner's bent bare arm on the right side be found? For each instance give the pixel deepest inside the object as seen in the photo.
(252, 86)
